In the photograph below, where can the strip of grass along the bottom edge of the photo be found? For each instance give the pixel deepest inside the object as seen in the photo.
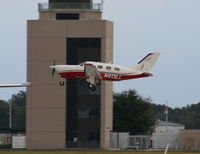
(91, 152)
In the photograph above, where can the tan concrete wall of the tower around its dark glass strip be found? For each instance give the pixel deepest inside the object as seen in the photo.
(46, 100)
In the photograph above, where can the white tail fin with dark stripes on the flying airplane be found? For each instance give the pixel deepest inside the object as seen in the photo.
(146, 64)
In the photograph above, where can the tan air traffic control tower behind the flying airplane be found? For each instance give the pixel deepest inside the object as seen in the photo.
(70, 116)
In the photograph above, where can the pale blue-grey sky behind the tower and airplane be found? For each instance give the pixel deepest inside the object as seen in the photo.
(171, 27)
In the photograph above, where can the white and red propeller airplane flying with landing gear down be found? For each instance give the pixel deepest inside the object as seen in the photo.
(93, 72)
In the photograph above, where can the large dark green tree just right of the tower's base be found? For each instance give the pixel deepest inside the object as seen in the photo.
(132, 113)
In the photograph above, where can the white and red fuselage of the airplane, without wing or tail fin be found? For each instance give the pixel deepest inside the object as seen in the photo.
(109, 72)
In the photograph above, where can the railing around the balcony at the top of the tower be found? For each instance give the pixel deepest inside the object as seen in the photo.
(70, 6)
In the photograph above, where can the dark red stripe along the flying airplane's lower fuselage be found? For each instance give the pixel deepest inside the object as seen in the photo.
(105, 76)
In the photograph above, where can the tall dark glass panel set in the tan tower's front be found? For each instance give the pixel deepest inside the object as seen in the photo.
(83, 105)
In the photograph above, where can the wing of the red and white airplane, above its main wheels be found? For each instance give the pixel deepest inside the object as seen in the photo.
(92, 74)
